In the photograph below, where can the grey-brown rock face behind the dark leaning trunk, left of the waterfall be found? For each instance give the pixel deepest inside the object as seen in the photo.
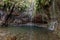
(16, 18)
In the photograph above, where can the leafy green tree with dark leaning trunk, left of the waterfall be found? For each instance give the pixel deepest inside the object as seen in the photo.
(12, 5)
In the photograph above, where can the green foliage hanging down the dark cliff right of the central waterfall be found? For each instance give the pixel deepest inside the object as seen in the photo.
(42, 7)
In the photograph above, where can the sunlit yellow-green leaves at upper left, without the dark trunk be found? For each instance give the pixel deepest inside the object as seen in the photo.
(20, 5)
